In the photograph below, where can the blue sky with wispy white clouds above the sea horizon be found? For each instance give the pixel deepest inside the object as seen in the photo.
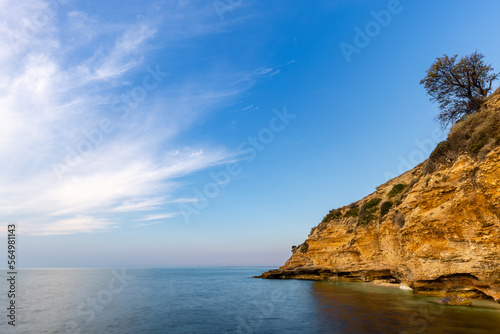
(202, 133)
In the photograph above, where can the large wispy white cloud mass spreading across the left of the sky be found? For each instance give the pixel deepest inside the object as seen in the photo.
(53, 97)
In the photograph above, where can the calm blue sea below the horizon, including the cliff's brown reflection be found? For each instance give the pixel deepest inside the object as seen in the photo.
(225, 300)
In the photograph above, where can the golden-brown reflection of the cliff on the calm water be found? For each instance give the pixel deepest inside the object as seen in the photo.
(365, 308)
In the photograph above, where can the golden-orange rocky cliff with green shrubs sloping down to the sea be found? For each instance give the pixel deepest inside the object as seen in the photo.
(435, 228)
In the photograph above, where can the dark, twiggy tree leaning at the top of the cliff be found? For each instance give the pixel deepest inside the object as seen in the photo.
(459, 86)
